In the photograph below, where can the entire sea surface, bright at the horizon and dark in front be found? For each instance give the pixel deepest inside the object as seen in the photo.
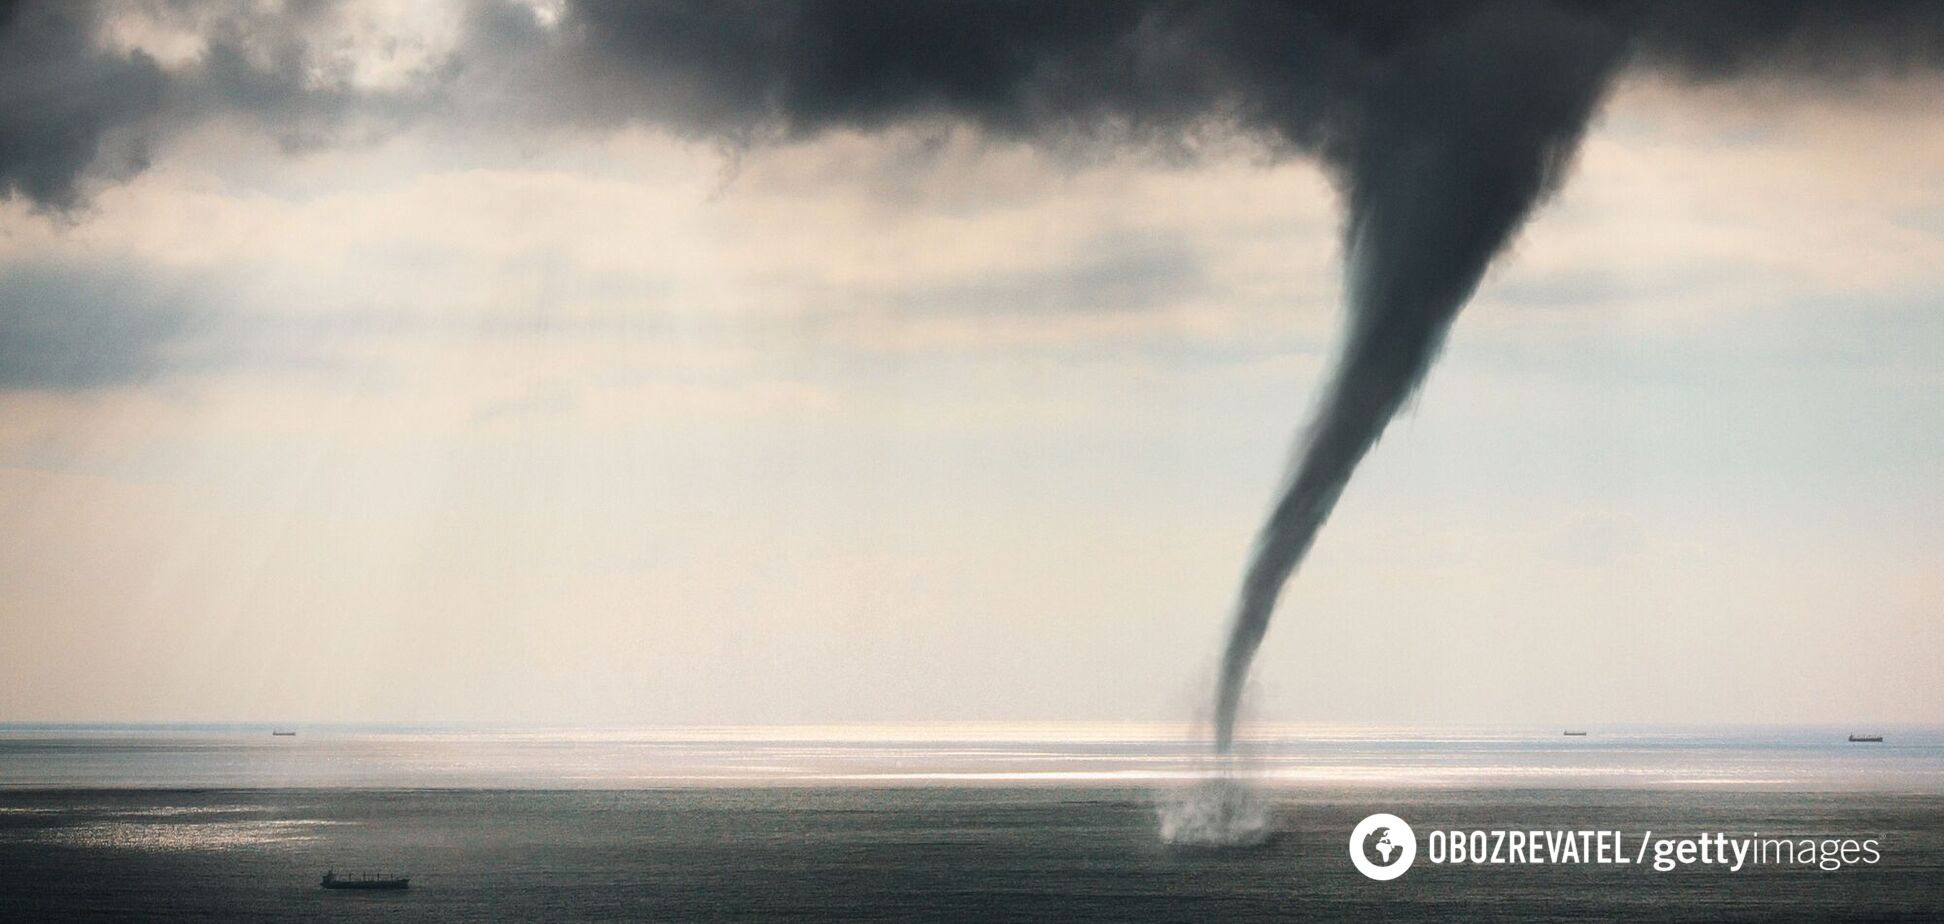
(932, 824)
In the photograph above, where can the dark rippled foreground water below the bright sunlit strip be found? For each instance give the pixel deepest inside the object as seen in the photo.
(907, 855)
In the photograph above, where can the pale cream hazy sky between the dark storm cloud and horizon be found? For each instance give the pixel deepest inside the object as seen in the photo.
(469, 417)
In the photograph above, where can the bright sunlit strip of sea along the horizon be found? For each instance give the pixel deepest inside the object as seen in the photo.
(378, 758)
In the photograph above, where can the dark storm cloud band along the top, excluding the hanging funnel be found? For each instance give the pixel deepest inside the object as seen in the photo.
(1309, 77)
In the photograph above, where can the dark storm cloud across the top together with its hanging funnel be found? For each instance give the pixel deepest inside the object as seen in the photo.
(1443, 124)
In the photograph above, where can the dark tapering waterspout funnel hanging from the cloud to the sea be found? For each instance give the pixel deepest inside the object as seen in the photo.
(1463, 137)
